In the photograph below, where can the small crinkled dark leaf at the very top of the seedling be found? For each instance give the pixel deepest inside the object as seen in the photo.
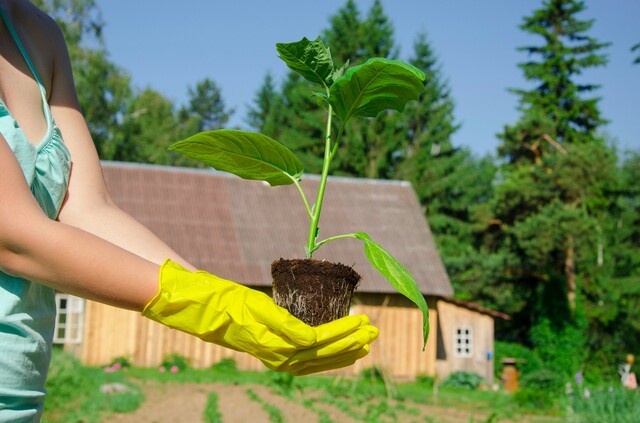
(311, 59)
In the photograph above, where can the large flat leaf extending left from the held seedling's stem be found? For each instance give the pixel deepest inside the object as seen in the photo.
(249, 155)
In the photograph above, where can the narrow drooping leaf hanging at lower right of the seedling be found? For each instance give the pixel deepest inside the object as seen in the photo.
(398, 276)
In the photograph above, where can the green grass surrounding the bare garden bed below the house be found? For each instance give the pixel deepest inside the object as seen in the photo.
(74, 395)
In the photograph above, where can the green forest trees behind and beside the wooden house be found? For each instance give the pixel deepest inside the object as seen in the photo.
(549, 234)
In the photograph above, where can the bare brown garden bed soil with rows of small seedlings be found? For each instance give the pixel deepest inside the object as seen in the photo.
(177, 403)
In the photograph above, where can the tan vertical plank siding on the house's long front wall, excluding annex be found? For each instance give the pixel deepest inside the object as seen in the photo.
(112, 332)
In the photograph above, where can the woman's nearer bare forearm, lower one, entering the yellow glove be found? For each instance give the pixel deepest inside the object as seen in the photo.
(66, 258)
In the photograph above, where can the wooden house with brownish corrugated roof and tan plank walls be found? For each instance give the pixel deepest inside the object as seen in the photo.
(235, 228)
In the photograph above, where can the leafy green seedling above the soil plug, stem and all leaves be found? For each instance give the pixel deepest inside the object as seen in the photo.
(347, 92)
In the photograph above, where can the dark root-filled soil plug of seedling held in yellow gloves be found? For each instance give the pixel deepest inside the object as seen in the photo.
(314, 291)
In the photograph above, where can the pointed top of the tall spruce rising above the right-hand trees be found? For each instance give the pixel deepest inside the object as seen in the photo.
(554, 112)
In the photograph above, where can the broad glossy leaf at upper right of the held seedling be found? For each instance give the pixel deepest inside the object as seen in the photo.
(378, 84)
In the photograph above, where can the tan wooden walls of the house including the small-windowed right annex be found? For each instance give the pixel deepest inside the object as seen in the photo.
(111, 332)
